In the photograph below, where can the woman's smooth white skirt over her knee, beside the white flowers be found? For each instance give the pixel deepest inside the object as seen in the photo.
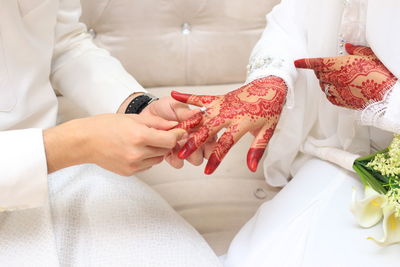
(309, 224)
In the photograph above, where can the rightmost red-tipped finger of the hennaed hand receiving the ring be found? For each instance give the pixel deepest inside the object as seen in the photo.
(258, 147)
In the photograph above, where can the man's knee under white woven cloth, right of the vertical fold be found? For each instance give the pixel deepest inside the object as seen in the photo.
(101, 219)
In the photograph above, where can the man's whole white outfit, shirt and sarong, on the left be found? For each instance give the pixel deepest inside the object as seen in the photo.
(93, 217)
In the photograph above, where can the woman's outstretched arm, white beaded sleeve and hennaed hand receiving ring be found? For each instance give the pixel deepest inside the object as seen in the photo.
(271, 79)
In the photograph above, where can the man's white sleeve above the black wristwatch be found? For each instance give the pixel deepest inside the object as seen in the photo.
(83, 72)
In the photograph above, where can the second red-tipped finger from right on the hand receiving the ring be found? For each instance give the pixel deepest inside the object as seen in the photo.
(224, 144)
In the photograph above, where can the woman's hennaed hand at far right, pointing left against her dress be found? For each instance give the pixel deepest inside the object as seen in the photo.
(352, 81)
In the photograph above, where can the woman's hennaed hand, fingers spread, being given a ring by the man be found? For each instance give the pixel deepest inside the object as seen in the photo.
(255, 107)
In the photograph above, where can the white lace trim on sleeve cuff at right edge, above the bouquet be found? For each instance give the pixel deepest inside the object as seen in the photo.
(374, 114)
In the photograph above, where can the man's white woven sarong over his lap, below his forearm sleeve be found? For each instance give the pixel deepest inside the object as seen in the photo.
(101, 219)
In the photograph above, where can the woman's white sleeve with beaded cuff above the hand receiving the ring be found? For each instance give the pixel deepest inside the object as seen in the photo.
(282, 42)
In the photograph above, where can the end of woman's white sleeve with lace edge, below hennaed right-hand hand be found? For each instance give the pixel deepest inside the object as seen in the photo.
(384, 114)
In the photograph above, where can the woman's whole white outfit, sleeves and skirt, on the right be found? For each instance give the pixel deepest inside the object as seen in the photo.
(309, 223)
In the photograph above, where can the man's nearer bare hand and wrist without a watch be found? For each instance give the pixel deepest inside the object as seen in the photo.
(124, 144)
